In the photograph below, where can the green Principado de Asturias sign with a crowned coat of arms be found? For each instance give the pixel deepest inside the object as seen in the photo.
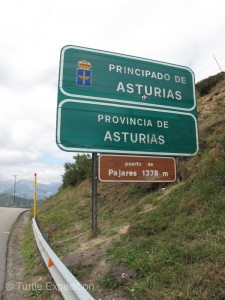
(110, 77)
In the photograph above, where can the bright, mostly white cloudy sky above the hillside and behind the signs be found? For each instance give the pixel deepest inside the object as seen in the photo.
(190, 33)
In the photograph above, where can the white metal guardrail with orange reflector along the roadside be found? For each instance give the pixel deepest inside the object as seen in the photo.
(67, 284)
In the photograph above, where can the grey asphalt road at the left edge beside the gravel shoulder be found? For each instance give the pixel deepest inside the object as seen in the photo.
(8, 216)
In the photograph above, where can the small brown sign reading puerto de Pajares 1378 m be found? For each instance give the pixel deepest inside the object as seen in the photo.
(136, 168)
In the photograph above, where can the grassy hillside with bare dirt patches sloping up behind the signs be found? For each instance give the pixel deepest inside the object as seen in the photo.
(155, 241)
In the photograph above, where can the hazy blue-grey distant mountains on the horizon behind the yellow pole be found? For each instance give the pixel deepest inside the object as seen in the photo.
(25, 189)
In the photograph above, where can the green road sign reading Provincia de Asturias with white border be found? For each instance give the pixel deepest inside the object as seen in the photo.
(88, 126)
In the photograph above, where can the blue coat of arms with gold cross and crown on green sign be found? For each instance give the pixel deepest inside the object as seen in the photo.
(84, 74)
